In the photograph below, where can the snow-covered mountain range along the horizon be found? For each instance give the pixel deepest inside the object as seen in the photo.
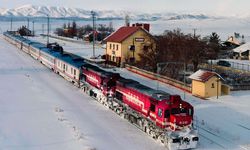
(63, 12)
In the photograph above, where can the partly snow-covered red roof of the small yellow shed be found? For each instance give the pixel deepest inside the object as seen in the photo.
(203, 75)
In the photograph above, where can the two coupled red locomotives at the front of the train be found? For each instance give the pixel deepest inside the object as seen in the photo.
(161, 115)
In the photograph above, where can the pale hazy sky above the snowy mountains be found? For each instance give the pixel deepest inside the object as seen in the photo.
(222, 7)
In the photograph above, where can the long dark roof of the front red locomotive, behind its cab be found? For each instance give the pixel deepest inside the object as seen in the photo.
(155, 94)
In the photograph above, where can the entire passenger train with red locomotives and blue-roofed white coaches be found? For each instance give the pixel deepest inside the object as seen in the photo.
(165, 117)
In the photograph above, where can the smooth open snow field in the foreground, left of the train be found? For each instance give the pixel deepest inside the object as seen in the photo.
(42, 111)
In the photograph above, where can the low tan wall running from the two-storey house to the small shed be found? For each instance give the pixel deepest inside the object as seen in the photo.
(160, 78)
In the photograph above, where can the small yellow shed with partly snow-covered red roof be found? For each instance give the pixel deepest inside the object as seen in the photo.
(206, 84)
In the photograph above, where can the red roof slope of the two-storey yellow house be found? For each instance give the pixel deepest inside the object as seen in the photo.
(122, 34)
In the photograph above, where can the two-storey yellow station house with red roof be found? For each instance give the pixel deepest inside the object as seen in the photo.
(124, 45)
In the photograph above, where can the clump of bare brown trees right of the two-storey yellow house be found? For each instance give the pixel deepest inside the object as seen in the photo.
(178, 50)
